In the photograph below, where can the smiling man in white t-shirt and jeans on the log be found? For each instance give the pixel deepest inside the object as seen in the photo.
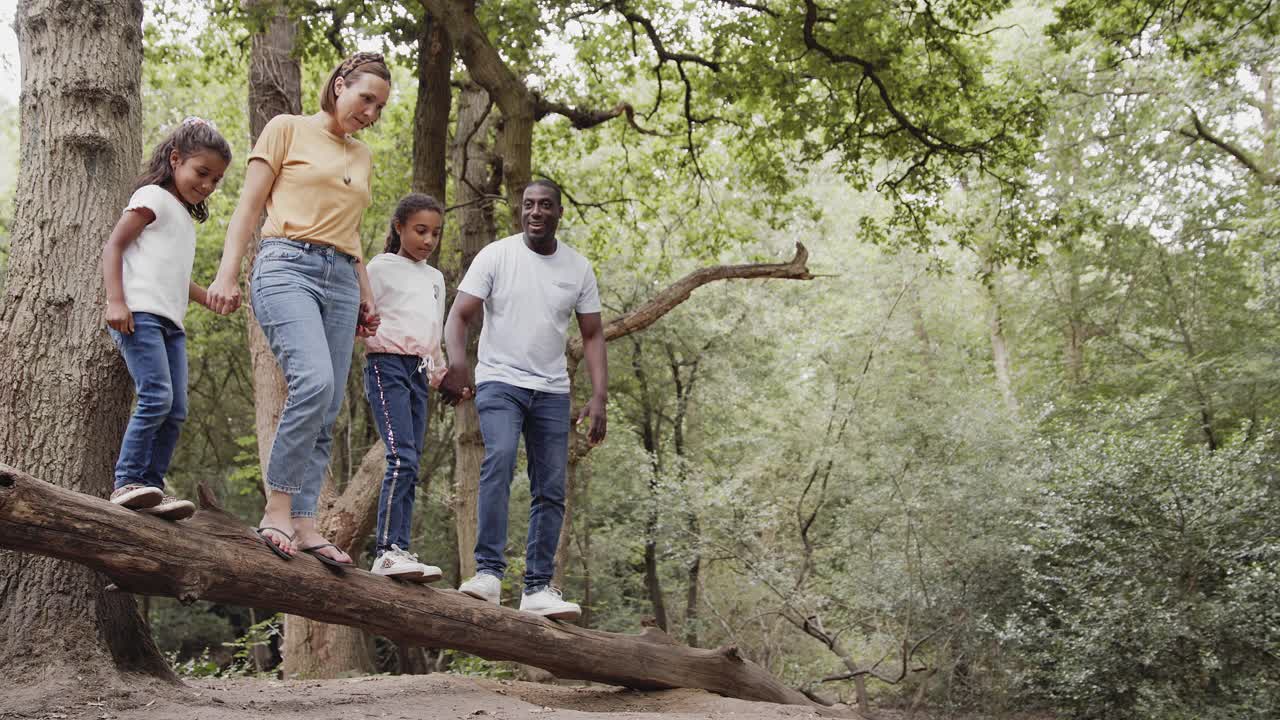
(528, 286)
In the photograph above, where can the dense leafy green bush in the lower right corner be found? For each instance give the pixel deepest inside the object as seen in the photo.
(1151, 577)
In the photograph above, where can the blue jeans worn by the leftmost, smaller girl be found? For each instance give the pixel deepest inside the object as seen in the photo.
(157, 357)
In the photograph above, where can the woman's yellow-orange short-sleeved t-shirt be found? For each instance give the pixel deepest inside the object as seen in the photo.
(309, 200)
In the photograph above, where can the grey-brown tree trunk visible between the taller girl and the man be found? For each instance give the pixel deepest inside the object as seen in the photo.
(477, 185)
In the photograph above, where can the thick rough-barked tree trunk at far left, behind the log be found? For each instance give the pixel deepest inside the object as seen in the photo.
(65, 400)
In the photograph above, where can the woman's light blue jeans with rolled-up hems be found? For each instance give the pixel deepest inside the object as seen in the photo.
(307, 299)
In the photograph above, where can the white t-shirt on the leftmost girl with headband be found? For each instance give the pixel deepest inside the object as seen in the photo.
(158, 265)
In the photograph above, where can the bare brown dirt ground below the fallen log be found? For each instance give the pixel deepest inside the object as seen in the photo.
(406, 698)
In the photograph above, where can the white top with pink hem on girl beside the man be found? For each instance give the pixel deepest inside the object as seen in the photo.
(410, 299)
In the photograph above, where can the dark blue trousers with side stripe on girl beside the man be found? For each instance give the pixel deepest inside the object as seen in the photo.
(397, 395)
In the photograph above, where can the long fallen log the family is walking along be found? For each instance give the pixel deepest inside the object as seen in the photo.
(214, 557)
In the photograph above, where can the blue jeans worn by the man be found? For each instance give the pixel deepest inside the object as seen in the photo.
(506, 413)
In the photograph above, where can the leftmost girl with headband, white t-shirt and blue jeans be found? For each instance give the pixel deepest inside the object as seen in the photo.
(147, 270)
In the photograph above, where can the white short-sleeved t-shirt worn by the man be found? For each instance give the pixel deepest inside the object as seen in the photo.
(528, 303)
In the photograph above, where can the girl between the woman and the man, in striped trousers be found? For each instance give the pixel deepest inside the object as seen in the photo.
(404, 361)
